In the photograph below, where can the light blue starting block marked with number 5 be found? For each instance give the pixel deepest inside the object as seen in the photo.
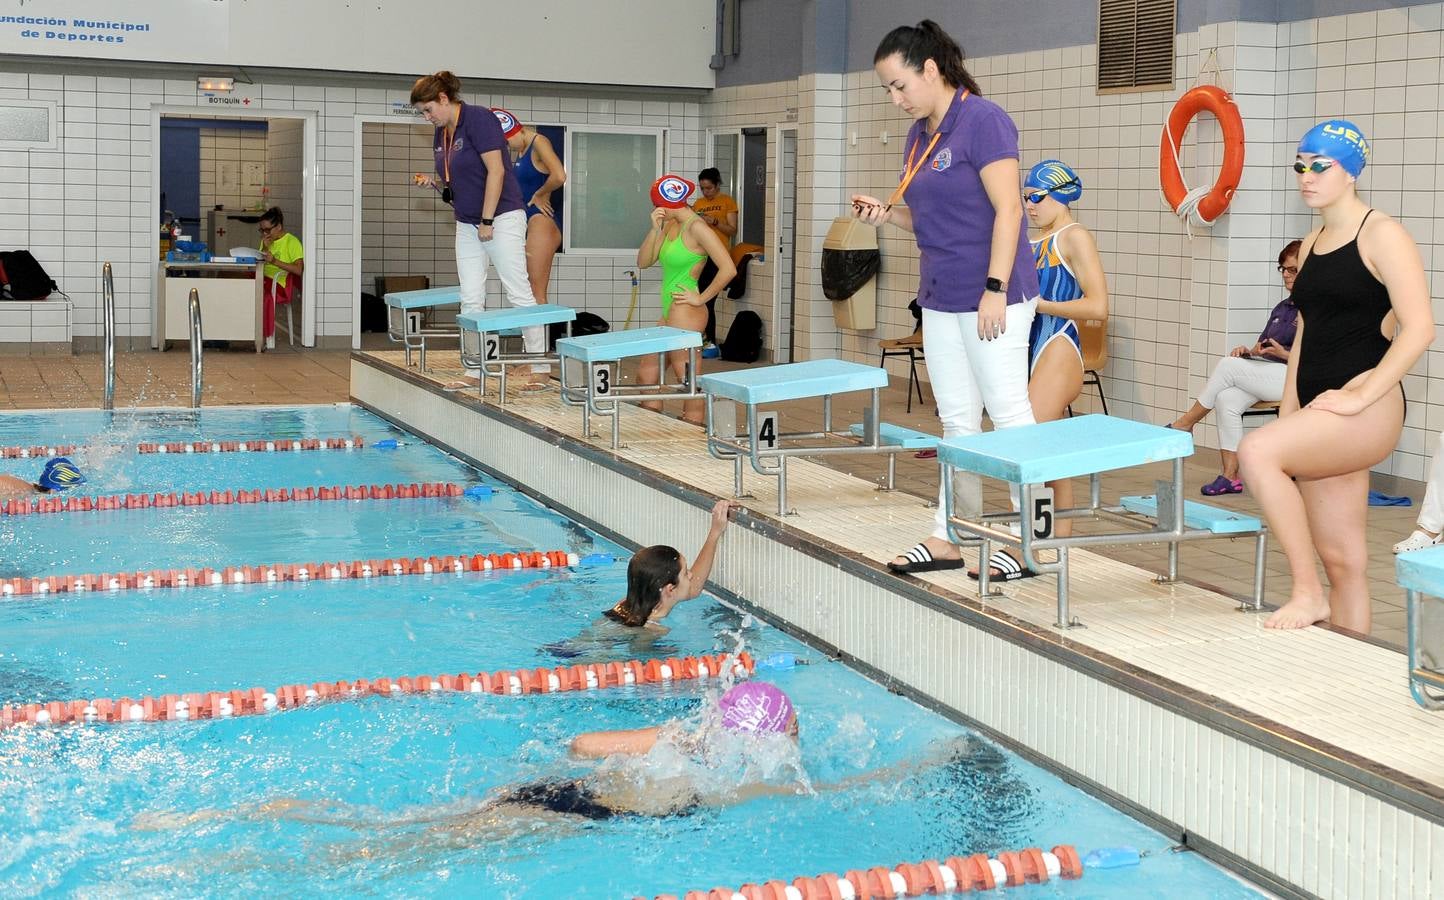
(1087, 447)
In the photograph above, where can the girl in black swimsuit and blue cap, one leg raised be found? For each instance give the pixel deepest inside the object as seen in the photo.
(1344, 399)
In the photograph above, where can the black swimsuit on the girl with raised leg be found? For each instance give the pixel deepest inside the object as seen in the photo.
(1344, 306)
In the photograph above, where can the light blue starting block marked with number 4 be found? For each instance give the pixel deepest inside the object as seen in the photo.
(767, 447)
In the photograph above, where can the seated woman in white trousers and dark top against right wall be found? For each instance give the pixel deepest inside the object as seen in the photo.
(1247, 376)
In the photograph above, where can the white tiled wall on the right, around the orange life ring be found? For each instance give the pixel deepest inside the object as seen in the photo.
(1179, 303)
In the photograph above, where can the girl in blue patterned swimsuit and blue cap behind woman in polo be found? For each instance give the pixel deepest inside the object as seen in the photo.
(1072, 290)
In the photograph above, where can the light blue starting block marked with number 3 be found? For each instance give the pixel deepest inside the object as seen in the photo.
(591, 371)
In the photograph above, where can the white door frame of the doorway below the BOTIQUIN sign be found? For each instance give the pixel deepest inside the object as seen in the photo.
(308, 190)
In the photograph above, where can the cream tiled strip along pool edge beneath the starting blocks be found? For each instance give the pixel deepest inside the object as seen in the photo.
(1347, 697)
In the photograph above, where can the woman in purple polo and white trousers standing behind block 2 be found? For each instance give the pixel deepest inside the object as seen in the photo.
(477, 180)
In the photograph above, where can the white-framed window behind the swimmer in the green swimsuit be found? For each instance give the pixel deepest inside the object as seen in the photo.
(610, 183)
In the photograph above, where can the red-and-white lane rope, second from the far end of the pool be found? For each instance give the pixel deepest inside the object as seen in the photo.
(285, 495)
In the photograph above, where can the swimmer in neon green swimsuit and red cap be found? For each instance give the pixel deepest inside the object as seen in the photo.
(681, 242)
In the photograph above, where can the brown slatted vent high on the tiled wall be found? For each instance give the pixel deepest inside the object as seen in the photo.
(1136, 44)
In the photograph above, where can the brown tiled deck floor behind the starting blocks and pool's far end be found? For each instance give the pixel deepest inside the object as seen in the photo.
(290, 376)
